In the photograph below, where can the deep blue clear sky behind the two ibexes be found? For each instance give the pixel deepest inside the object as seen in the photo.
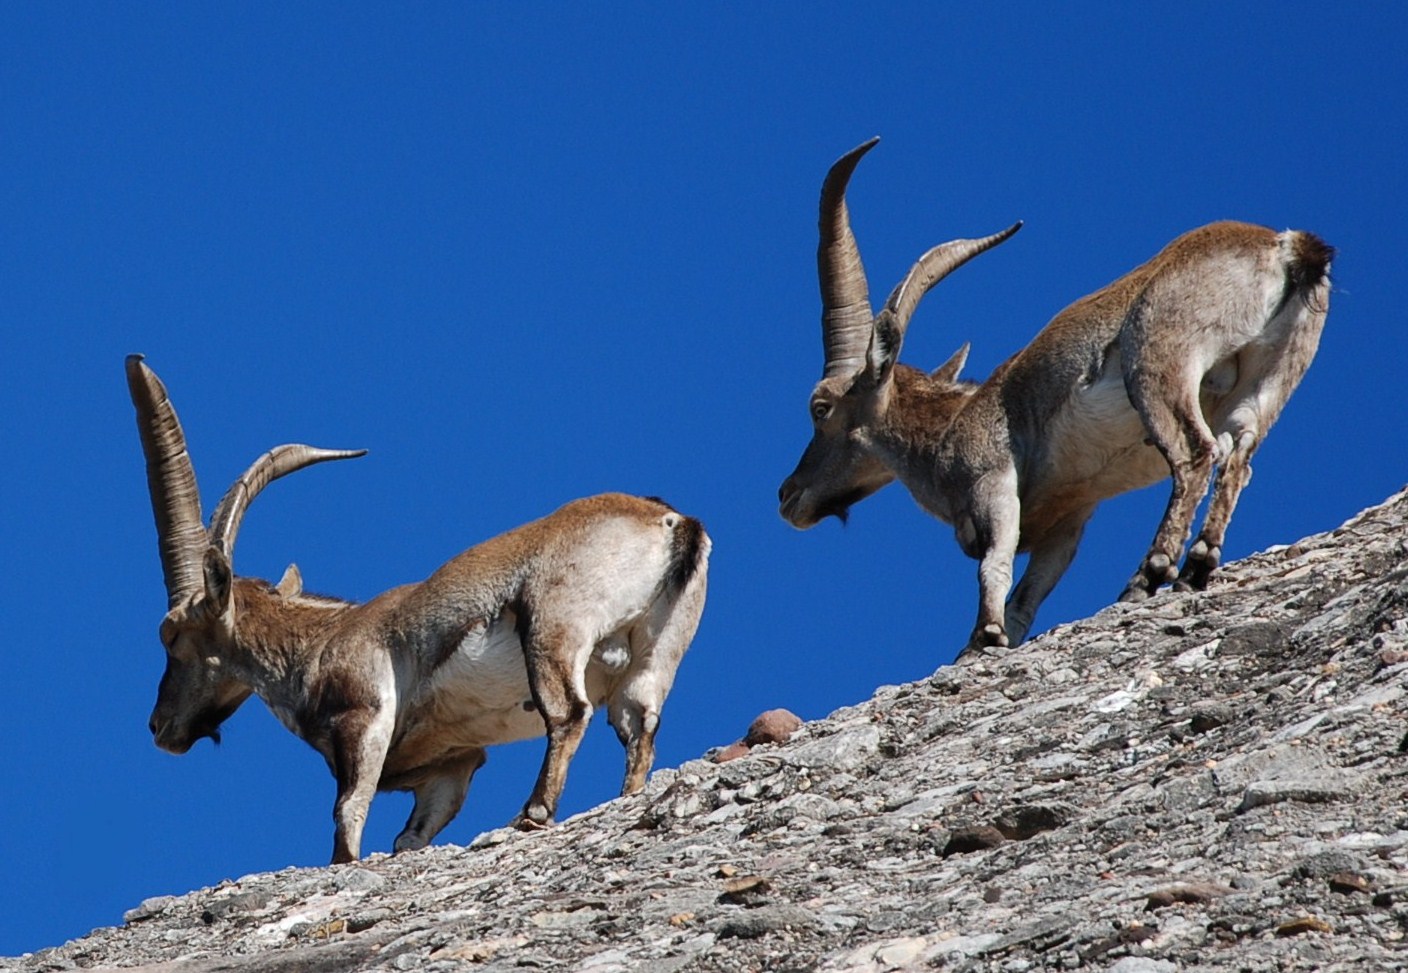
(529, 253)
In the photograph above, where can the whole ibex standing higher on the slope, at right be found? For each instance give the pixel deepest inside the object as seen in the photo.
(1178, 368)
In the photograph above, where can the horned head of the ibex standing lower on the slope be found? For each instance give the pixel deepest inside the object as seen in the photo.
(198, 692)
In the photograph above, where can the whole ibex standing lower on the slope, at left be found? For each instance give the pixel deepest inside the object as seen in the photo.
(520, 636)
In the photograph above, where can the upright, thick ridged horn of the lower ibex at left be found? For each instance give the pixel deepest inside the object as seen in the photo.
(171, 481)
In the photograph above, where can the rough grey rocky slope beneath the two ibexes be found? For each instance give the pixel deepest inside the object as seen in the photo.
(1205, 782)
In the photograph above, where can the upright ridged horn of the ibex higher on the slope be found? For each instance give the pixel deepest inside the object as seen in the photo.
(846, 299)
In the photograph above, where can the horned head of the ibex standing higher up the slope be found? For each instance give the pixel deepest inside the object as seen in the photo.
(838, 470)
